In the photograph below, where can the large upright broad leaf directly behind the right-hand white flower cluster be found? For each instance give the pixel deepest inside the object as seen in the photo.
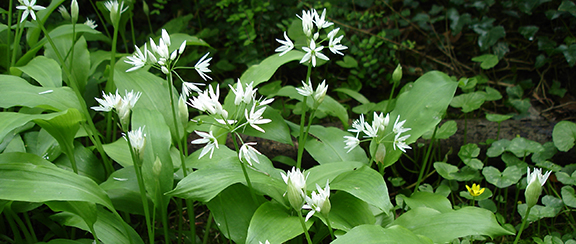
(422, 108)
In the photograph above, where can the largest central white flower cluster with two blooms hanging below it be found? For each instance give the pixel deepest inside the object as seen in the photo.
(245, 97)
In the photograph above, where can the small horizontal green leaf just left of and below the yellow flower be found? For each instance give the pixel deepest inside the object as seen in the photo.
(428, 200)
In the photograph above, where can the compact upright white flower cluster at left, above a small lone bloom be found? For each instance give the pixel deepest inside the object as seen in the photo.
(122, 105)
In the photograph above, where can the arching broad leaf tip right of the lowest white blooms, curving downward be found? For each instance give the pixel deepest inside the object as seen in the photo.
(366, 184)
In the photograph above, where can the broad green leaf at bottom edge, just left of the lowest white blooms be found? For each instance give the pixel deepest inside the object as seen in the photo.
(274, 223)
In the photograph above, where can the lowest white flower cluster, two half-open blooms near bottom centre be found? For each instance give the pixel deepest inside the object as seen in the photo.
(296, 190)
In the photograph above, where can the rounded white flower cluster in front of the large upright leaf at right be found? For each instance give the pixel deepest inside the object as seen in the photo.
(375, 131)
